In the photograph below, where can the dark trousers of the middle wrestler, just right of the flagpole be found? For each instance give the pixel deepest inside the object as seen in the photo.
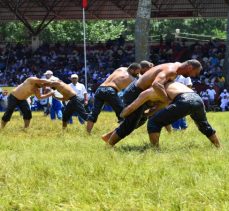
(109, 95)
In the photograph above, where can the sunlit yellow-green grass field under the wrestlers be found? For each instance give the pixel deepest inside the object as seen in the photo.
(47, 169)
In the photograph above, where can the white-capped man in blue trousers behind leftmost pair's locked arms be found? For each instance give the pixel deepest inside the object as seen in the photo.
(56, 105)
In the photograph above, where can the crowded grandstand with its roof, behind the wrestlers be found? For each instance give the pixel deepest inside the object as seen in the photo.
(18, 61)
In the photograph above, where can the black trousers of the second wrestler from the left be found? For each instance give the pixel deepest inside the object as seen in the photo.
(74, 105)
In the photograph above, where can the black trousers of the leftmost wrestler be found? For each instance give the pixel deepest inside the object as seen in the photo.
(13, 102)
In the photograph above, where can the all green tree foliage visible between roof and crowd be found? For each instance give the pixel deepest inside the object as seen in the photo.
(103, 30)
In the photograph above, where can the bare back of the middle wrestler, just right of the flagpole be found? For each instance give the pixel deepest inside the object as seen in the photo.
(119, 79)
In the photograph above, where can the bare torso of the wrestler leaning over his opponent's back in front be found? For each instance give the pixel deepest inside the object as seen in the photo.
(146, 80)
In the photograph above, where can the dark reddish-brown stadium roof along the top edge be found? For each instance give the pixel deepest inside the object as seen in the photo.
(107, 9)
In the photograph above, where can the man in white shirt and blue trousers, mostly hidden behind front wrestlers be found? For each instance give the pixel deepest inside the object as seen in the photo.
(181, 124)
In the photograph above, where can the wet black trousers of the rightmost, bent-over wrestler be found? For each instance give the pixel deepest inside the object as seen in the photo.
(184, 104)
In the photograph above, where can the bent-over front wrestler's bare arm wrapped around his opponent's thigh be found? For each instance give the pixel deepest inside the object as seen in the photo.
(142, 98)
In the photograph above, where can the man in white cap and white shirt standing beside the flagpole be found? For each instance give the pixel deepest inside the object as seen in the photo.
(80, 91)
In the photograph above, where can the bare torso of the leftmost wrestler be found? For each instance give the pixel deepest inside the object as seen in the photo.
(25, 90)
